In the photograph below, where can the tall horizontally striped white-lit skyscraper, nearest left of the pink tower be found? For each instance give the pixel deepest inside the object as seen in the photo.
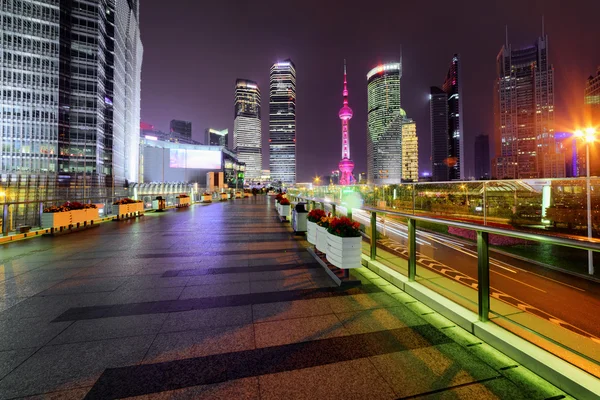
(282, 122)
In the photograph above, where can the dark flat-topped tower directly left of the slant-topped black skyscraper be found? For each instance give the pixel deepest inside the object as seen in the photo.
(438, 114)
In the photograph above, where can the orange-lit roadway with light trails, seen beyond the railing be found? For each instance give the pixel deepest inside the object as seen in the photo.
(564, 299)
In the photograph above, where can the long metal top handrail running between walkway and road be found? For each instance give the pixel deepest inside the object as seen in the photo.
(582, 244)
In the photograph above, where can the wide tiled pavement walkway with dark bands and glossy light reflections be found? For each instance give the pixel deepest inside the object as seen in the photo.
(222, 302)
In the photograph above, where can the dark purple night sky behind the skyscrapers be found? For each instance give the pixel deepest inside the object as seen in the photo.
(195, 49)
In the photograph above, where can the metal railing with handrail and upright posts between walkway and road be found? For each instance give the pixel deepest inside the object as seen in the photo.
(483, 256)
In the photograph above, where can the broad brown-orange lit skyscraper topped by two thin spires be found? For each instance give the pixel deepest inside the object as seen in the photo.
(524, 114)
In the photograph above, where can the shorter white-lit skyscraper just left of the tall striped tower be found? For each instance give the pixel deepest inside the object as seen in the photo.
(247, 138)
